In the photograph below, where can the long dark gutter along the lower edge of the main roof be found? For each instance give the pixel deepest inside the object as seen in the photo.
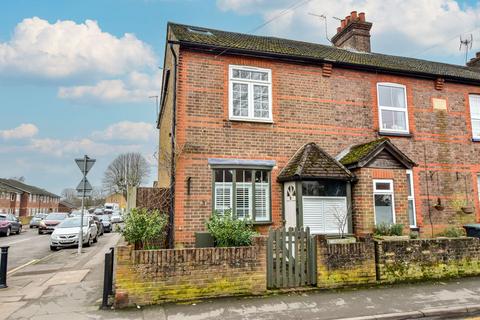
(299, 59)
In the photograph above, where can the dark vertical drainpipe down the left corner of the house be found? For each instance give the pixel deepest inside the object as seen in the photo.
(172, 170)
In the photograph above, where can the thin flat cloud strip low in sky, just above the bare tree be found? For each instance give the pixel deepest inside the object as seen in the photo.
(60, 148)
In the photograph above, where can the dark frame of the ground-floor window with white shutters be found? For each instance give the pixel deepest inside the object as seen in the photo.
(252, 217)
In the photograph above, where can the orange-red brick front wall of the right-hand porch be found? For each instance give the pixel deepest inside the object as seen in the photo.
(363, 204)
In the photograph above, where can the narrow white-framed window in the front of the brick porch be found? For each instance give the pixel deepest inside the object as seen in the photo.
(383, 202)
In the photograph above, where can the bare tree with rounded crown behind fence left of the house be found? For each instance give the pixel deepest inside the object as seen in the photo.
(126, 171)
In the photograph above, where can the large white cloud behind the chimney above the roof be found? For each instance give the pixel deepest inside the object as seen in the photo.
(402, 27)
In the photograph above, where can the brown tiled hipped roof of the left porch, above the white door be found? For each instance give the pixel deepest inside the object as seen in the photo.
(311, 162)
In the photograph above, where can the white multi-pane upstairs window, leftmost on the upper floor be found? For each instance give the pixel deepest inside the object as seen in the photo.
(250, 92)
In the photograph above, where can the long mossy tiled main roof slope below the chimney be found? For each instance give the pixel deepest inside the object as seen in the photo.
(288, 48)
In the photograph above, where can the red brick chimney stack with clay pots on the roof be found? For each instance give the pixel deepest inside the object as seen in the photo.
(353, 33)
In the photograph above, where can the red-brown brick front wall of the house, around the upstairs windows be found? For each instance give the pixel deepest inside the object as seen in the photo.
(334, 112)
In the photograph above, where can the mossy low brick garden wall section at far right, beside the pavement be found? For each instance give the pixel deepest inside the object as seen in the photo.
(427, 259)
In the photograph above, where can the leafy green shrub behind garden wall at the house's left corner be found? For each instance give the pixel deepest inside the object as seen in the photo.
(145, 229)
